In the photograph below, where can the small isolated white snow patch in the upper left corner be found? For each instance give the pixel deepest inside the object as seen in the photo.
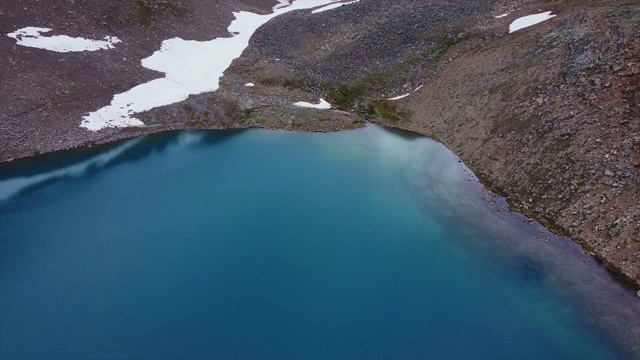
(32, 37)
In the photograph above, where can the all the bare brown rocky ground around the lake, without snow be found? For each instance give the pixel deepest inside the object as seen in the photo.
(547, 116)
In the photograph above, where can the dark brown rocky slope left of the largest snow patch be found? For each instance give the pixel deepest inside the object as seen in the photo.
(44, 94)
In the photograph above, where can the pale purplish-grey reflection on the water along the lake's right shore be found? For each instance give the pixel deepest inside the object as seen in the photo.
(516, 249)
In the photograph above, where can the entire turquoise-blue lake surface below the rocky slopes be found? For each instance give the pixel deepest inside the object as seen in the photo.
(260, 244)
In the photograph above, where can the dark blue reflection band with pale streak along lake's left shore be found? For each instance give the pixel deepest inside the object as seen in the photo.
(29, 175)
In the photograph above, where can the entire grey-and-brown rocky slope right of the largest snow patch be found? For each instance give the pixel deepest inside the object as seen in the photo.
(547, 116)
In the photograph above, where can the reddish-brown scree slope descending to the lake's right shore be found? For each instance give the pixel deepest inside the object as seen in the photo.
(550, 118)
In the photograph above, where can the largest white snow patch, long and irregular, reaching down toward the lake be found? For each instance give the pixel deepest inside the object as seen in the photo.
(190, 67)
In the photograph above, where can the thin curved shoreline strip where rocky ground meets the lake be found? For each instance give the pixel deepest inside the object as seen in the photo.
(614, 271)
